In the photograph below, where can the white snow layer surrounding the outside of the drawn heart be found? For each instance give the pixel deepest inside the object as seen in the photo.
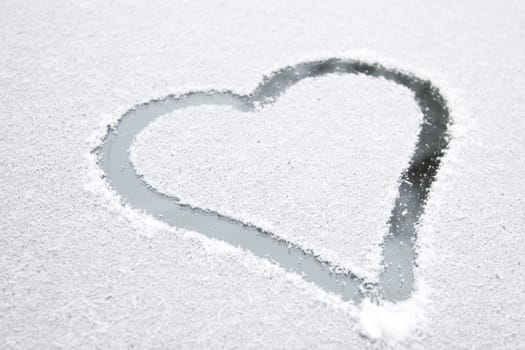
(79, 270)
